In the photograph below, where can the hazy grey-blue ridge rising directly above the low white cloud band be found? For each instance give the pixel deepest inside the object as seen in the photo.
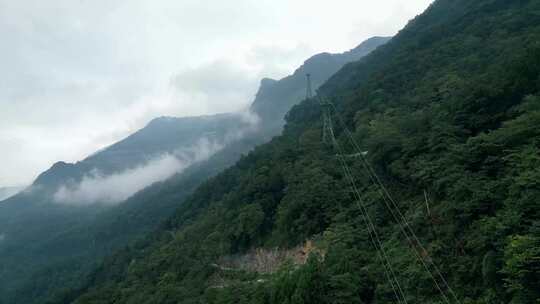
(164, 135)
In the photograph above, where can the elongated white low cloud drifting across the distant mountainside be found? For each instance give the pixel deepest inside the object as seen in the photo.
(112, 189)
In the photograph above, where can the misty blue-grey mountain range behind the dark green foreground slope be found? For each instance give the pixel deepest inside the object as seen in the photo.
(74, 214)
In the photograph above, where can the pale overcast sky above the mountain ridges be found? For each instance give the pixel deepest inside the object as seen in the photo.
(77, 75)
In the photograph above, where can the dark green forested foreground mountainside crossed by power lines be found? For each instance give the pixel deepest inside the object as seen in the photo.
(428, 195)
